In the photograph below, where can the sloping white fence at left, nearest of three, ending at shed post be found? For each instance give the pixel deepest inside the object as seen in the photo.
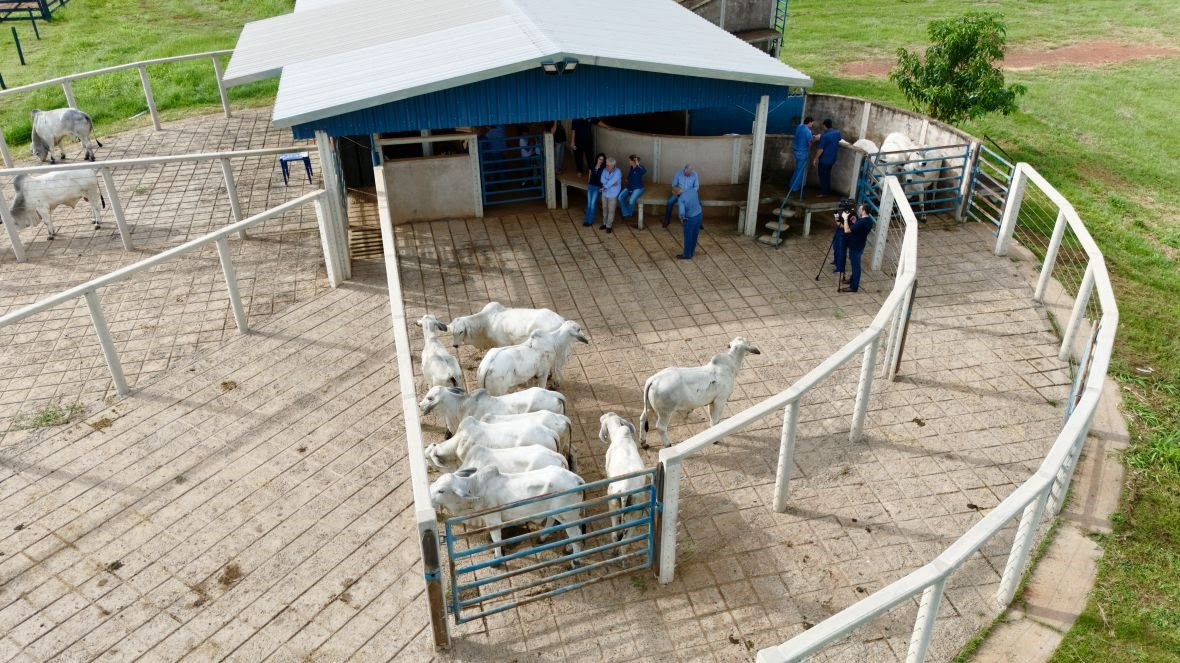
(90, 290)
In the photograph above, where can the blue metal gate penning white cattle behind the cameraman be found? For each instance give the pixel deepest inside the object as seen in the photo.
(932, 178)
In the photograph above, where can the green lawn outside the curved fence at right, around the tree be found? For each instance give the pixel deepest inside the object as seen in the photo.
(1106, 137)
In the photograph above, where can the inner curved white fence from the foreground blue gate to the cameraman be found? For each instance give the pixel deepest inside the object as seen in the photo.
(888, 325)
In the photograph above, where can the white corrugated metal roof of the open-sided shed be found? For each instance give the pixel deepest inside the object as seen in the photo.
(340, 56)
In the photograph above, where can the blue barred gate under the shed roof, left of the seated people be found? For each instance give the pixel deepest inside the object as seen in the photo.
(512, 173)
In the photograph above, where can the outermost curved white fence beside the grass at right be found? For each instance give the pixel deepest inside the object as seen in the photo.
(1041, 496)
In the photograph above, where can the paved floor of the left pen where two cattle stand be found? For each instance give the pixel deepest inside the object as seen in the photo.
(166, 316)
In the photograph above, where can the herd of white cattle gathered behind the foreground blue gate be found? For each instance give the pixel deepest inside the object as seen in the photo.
(504, 447)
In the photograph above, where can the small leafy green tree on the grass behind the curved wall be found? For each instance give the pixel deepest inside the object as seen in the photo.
(959, 78)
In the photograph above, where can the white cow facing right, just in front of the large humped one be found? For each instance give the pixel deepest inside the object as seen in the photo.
(539, 357)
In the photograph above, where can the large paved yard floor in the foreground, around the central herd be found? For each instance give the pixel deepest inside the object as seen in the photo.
(254, 504)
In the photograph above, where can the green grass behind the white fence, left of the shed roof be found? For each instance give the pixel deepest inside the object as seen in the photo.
(90, 35)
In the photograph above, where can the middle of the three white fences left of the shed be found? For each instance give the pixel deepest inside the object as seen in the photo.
(106, 169)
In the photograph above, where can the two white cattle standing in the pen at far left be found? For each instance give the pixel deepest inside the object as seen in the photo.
(38, 195)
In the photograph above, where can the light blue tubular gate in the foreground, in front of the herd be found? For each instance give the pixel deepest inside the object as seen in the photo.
(533, 568)
